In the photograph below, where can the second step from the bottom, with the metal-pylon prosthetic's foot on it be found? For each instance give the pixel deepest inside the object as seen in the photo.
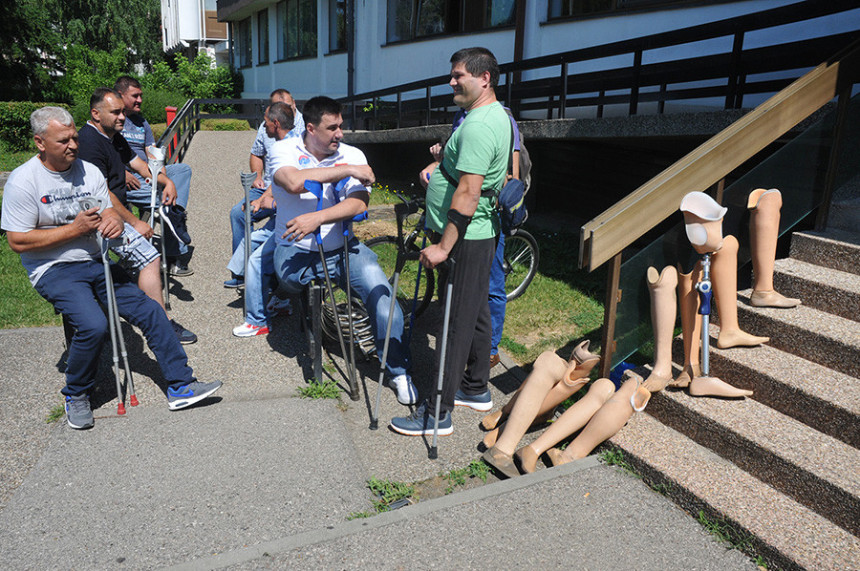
(812, 468)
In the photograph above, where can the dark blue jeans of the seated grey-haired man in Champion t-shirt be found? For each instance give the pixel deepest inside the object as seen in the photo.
(72, 288)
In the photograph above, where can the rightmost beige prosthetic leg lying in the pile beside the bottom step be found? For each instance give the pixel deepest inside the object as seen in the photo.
(603, 425)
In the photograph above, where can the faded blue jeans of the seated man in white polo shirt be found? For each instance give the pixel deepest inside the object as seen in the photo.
(296, 268)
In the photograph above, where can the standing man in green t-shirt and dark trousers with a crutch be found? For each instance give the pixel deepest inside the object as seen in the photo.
(460, 212)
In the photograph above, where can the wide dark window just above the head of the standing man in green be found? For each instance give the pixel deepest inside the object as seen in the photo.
(411, 19)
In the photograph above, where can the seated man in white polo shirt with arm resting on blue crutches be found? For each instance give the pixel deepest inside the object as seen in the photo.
(320, 156)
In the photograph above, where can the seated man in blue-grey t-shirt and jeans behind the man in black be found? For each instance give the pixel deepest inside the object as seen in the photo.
(138, 133)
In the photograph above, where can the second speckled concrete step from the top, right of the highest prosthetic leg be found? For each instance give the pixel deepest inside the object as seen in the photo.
(829, 290)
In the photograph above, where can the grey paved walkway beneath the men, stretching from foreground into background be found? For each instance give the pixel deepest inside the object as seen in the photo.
(259, 478)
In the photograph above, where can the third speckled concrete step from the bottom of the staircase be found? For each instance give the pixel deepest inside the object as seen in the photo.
(822, 398)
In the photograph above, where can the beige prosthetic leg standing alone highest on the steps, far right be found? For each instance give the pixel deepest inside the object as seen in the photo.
(764, 206)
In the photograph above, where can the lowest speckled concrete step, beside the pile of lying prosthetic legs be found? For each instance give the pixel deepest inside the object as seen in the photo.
(787, 534)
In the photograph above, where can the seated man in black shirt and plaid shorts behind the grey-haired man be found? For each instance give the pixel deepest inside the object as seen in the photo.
(102, 144)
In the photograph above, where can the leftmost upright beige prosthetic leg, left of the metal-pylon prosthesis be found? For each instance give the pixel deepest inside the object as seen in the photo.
(662, 287)
